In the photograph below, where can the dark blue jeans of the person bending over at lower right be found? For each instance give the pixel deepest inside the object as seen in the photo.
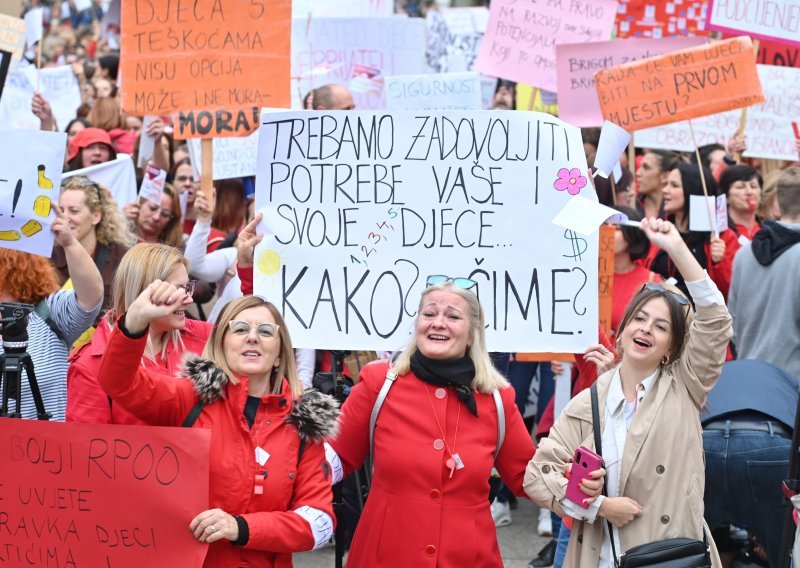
(744, 472)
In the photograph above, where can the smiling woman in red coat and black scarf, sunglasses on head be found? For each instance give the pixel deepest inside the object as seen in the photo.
(435, 440)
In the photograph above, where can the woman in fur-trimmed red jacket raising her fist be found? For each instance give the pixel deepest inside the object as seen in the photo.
(270, 487)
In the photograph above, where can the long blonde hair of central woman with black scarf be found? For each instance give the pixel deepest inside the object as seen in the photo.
(487, 378)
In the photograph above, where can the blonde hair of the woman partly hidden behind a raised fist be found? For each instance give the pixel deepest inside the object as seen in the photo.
(140, 267)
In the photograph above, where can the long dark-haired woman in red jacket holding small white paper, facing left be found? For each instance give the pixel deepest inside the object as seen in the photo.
(714, 253)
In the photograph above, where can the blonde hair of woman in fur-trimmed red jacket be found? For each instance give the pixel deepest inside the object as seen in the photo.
(215, 349)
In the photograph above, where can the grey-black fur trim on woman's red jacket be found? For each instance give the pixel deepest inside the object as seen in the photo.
(313, 414)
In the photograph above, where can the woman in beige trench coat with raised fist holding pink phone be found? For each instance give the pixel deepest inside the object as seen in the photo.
(649, 416)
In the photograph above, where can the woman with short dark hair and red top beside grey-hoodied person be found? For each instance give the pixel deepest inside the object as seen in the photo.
(742, 185)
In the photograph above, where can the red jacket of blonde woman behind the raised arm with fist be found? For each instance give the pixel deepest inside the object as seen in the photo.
(87, 401)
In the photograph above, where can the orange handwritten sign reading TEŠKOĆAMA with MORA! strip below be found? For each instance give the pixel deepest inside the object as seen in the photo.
(216, 63)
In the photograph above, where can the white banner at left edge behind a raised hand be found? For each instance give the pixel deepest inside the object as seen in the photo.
(58, 86)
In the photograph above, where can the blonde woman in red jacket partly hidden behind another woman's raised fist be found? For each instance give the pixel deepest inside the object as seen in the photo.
(169, 337)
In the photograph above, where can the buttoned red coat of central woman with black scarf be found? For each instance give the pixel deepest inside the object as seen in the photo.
(416, 515)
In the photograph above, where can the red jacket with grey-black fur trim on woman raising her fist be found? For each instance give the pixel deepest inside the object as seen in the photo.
(296, 494)
